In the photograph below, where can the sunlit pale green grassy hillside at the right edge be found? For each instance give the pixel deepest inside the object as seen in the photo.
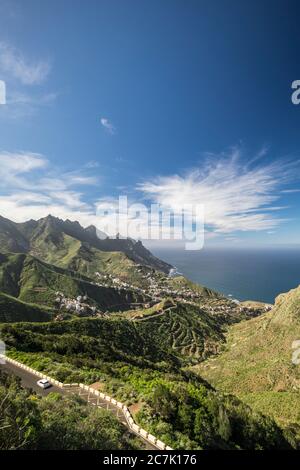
(256, 363)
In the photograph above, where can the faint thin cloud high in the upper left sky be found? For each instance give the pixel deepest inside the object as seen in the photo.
(13, 63)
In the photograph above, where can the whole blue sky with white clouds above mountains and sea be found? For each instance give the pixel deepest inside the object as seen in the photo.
(164, 101)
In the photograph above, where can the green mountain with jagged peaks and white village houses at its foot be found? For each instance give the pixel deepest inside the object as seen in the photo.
(58, 261)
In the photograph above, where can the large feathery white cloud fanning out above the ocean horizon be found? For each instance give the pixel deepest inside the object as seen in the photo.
(236, 196)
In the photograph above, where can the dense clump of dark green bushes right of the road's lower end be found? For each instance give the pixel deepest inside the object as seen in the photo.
(185, 414)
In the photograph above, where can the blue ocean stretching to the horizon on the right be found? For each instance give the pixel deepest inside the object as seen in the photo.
(244, 274)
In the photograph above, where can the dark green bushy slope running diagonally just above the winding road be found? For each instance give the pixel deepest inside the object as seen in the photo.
(140, 369)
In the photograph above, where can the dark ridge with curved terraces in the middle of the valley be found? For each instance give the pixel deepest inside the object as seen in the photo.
(168, 332)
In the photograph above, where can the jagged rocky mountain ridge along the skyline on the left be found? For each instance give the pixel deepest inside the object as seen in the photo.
(53, 239)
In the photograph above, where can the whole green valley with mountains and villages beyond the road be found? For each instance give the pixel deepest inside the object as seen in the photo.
(200, 371)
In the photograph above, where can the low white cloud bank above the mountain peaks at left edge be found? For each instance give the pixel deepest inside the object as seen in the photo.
(30, 188)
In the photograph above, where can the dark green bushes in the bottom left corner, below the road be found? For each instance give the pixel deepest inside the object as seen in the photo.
(56, 422)
